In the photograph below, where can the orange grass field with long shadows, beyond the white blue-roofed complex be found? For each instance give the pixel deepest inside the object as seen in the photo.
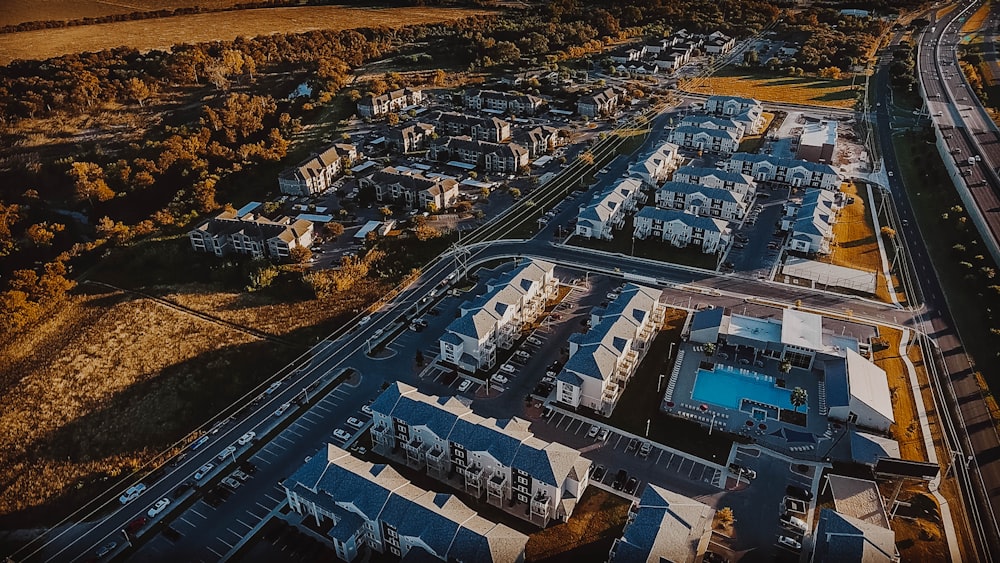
(807, 90)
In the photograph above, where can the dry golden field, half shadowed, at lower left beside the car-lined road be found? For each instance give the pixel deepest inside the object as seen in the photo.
(93, 393)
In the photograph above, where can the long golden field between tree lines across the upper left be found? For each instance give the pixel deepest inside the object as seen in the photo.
(162, 33)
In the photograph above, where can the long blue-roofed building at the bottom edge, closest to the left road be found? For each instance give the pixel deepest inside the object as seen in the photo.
(353, 504)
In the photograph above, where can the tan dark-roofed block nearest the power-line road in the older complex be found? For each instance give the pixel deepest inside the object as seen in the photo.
(413, 188)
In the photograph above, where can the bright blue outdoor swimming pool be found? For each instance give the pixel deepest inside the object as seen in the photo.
(726, 387)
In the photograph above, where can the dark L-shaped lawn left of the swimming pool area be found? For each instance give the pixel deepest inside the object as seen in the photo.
(641, 402)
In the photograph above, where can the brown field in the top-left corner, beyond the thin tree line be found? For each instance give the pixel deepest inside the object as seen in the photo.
(20, 11)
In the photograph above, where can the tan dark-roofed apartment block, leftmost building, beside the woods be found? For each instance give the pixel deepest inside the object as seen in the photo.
(251, 234)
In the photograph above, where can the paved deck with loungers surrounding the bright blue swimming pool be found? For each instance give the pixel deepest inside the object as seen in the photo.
(816, 440)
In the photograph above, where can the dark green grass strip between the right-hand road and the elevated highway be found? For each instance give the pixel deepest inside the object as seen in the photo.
(932, 194)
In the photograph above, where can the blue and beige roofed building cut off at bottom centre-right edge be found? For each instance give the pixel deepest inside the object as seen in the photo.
(664, 526)
